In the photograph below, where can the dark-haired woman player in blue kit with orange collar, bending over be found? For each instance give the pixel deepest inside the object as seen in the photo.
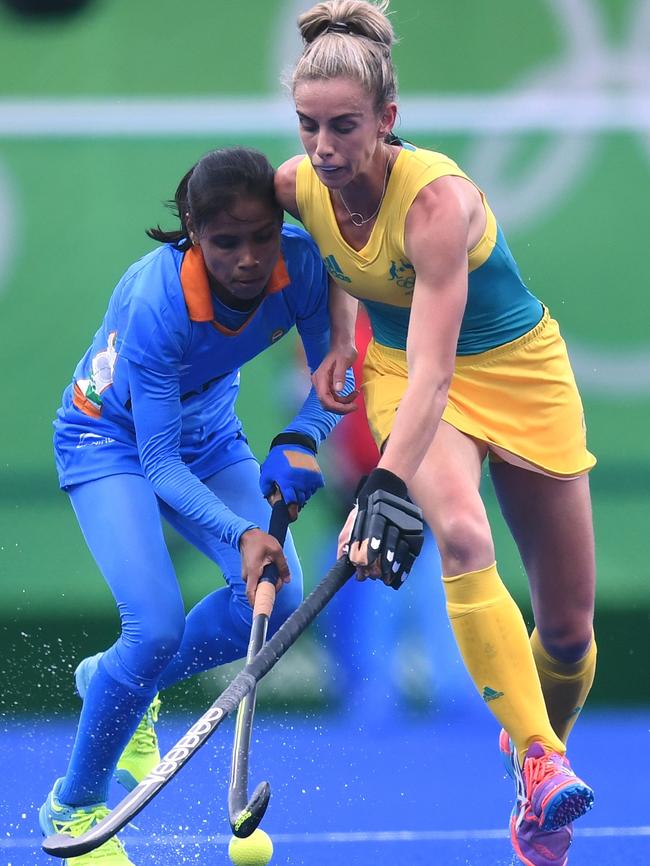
(148, 428)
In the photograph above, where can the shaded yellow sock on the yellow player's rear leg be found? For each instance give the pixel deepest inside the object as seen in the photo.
(565, 686)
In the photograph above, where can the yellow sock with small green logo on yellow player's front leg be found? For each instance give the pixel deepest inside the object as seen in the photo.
(493, 641)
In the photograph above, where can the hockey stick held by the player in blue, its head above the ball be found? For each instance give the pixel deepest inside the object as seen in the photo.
(245, 814)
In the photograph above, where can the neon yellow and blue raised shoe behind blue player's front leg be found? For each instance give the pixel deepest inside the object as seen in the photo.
(141, 753)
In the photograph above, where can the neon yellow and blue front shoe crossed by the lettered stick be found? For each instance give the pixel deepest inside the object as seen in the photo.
(56, 817)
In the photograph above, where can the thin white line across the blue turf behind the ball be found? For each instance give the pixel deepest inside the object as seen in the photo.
(176, 839)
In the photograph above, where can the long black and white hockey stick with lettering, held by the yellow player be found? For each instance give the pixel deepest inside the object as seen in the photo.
(60, 845)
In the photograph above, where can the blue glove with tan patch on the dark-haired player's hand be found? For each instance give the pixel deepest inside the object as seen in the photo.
(291, 466)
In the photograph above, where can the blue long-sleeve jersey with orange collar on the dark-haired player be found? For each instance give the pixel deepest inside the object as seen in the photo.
(155, 392)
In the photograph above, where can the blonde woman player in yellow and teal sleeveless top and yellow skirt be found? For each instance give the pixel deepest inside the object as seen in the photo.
(466, 364)
